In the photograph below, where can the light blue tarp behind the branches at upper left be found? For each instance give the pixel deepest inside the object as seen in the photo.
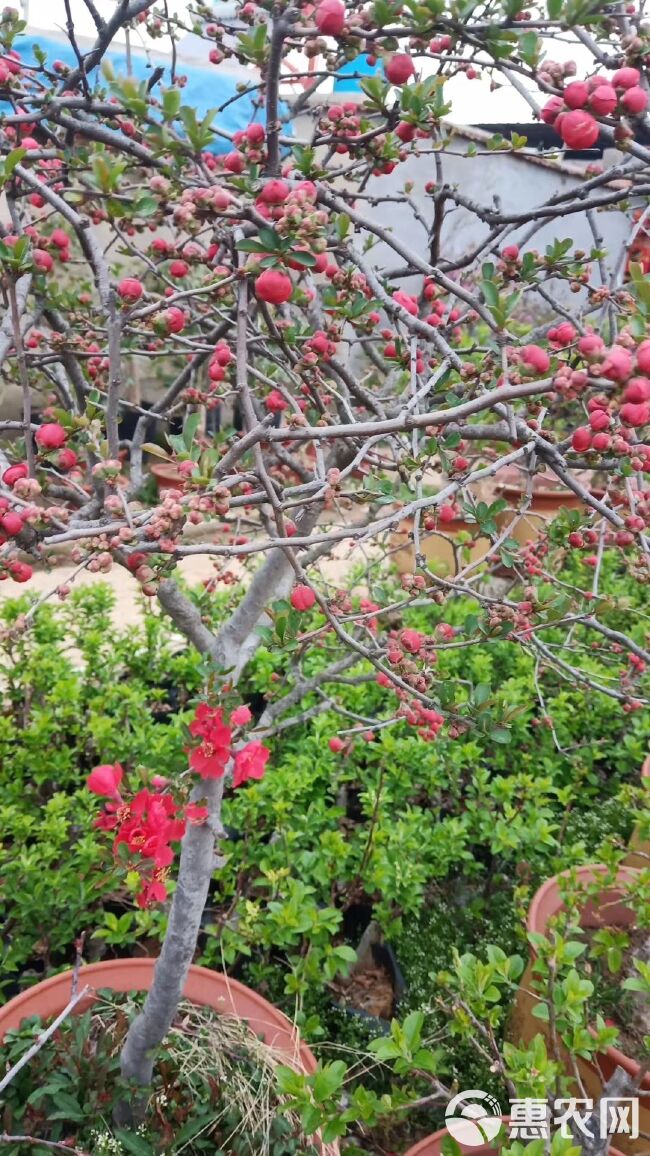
(206, 88)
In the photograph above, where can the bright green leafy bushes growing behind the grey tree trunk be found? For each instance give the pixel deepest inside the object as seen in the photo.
(395, 826)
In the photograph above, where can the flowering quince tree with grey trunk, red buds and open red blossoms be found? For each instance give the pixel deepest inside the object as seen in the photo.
(359, 366)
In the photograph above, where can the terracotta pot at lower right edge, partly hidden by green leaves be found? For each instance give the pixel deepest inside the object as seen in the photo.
(608, 912)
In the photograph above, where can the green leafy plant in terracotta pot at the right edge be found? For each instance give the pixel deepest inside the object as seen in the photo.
(590, 924)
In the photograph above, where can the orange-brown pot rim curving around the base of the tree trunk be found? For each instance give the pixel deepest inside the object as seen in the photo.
(205, 988)
